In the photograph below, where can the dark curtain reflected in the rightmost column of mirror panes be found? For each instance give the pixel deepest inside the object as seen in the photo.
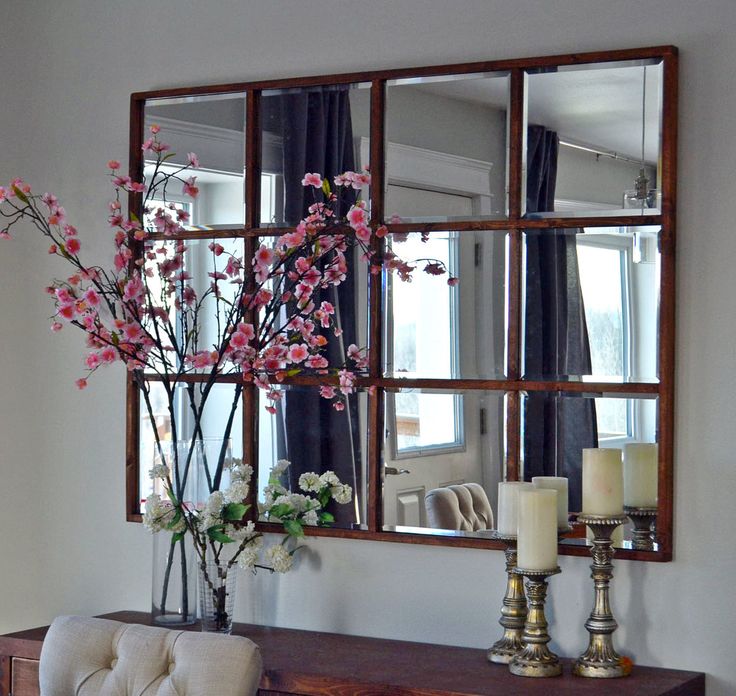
(555, 336)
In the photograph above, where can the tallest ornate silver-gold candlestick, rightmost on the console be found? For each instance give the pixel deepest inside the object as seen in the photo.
(600, 659)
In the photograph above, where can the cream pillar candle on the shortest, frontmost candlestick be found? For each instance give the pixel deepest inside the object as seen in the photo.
(537, 541)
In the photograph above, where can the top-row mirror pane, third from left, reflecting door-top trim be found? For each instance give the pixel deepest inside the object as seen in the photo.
(446, 147)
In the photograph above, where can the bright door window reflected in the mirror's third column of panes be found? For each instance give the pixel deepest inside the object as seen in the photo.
(423, 340)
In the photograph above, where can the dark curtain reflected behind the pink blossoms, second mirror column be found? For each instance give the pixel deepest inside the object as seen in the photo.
(317, 137)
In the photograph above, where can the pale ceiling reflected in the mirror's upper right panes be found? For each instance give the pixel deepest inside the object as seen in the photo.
(600, 107)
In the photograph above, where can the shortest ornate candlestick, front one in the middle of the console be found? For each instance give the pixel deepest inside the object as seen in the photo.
(535, 659)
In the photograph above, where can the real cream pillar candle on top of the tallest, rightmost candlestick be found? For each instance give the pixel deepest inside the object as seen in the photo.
(603, 482)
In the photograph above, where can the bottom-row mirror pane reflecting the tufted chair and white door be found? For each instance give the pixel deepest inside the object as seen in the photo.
(435, 440)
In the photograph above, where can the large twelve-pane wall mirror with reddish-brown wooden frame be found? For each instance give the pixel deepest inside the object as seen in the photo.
(547, 186)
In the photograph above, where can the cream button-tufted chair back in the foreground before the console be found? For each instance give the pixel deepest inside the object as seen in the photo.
(97, 657)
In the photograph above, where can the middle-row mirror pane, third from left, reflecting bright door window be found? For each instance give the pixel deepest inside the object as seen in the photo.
(434, 329)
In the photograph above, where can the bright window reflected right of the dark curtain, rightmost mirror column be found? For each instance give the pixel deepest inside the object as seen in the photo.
(604, 278)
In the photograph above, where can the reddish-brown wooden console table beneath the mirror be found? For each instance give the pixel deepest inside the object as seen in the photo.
(327, 664)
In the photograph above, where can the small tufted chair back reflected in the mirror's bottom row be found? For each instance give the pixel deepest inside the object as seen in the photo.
(463, 507)
